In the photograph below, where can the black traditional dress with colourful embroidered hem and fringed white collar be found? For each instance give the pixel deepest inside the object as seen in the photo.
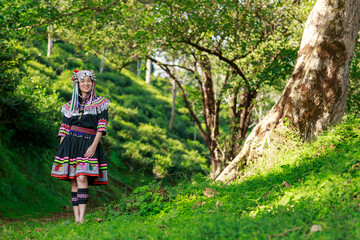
(79, 126)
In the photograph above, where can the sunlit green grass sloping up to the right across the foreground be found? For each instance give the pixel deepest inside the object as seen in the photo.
(305, 191)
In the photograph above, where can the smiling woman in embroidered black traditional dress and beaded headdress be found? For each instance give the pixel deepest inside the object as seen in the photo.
(80, 157)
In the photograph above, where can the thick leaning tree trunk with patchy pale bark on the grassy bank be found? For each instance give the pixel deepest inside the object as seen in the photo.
(315, 95)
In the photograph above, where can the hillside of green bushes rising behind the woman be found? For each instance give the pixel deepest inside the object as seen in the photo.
(138, 144)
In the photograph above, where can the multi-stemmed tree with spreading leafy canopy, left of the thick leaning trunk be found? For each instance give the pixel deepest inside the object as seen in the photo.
(249, 38)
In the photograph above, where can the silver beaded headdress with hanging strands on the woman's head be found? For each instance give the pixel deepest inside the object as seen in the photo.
(77, 77)
